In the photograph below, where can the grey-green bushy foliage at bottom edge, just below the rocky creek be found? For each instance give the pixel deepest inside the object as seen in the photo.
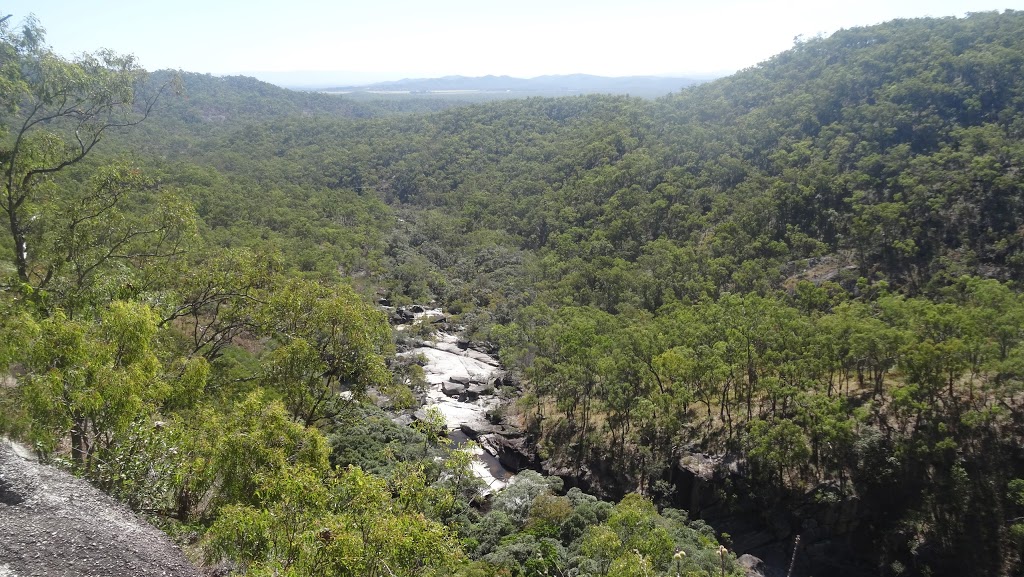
(578, 534)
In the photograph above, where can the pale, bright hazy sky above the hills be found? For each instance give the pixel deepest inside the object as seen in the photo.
(372, 40)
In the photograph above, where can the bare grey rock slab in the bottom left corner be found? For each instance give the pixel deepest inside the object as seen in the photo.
(55, 524)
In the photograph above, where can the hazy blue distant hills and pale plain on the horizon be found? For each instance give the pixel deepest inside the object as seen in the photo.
(546, 86)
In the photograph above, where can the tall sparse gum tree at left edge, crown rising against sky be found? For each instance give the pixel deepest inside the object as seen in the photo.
(55, 113)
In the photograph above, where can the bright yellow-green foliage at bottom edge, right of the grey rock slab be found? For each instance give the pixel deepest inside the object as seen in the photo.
(309, 521)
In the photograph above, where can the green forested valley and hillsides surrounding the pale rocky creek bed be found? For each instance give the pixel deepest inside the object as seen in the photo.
(780, 313)
